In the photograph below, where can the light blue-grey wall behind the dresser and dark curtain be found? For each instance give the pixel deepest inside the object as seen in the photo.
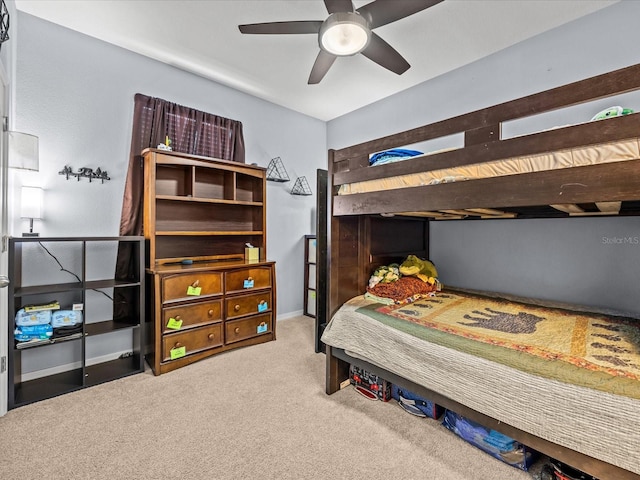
(76, 94)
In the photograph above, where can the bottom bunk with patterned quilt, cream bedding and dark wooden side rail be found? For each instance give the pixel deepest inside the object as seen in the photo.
(557, 378)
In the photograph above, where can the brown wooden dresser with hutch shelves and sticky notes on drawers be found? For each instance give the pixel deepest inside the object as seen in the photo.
(203, 297)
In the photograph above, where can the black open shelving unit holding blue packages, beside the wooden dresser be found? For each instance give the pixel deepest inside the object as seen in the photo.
(113, 316)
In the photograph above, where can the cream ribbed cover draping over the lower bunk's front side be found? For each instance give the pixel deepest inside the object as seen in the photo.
(588, 420)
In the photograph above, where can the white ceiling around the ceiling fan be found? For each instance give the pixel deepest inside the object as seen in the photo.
(202, 37)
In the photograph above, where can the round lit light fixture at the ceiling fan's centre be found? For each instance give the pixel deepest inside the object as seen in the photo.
(344, 34)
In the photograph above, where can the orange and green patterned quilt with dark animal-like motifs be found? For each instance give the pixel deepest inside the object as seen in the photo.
(591, 350)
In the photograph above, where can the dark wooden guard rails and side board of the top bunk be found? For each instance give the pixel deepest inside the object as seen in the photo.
(483, 142)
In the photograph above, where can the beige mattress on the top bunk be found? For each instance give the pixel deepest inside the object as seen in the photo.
(575, 157)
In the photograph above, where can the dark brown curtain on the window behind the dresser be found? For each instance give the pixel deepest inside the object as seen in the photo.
(191, 131)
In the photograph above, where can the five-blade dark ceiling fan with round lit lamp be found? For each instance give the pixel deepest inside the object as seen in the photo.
(348, 31)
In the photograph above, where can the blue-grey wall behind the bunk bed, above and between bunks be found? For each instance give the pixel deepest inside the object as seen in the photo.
(578, 260)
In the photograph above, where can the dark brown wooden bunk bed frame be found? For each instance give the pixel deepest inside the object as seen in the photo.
(361, 237)
